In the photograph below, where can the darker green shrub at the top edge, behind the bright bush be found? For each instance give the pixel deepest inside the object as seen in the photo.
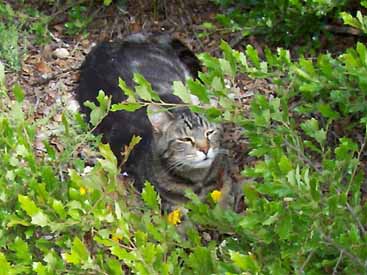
(281, 22)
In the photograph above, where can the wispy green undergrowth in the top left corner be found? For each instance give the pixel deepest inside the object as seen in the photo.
(25, 23)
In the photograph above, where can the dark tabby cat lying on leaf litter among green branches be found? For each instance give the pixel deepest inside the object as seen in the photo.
(179, 149)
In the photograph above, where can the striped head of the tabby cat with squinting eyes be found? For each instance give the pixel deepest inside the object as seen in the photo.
(185, 140)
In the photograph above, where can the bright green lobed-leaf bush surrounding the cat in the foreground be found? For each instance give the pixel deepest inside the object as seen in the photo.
(305, 195)
